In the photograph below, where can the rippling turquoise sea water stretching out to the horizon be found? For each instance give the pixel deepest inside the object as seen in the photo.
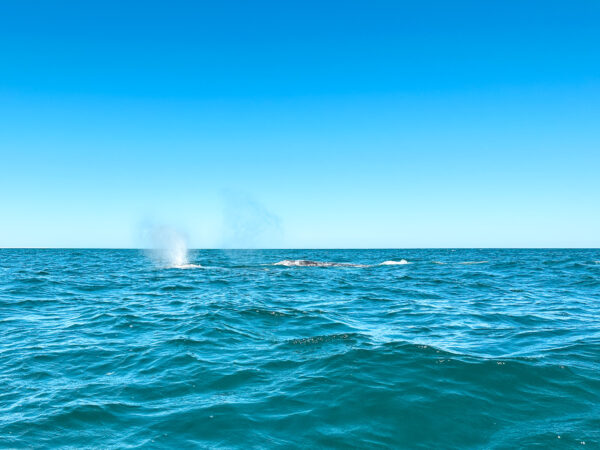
(465, 348)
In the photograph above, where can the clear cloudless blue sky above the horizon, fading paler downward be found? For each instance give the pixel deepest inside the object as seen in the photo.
(300, 124)
